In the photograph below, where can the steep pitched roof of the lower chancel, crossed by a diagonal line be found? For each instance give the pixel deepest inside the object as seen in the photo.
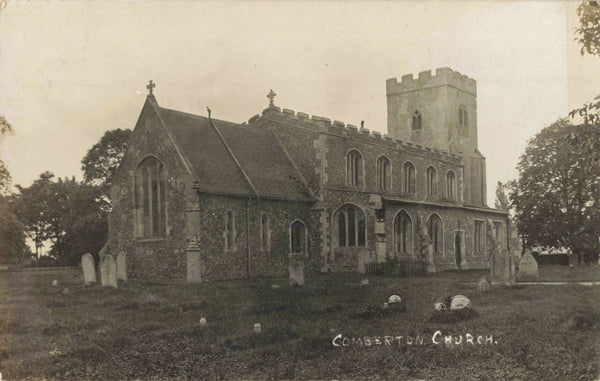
(228, 158)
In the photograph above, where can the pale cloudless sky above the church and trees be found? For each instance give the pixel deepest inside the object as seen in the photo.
(71, 70)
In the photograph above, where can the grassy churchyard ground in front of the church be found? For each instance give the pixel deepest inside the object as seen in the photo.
(151, 331)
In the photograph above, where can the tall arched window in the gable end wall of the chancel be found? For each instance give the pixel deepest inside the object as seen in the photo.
(150, 198)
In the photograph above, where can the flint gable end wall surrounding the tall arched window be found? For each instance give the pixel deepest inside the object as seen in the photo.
(157, 257)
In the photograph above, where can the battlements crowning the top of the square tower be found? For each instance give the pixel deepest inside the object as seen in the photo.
(443, 77)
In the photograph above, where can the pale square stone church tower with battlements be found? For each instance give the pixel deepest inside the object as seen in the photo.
(440, 111)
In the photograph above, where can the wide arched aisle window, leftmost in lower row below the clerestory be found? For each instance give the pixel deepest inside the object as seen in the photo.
(351, 226)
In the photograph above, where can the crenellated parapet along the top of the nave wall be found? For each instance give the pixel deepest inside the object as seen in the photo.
(319, 124)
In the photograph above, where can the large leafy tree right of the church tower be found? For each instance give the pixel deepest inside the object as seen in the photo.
(557, 196)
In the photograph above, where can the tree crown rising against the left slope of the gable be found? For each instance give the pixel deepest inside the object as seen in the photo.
(102, 160)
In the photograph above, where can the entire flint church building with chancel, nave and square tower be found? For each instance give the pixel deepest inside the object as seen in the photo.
(197, 198)
